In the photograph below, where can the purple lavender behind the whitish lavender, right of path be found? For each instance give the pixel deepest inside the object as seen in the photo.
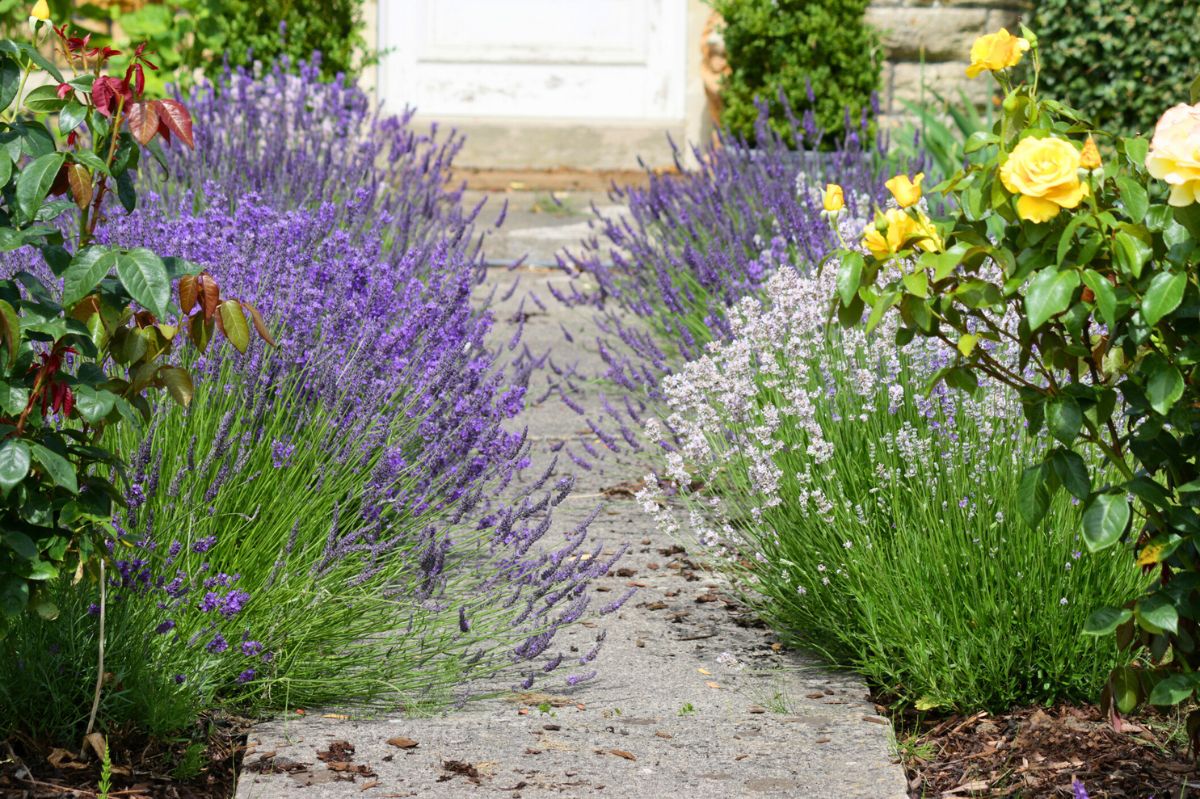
(695, 244)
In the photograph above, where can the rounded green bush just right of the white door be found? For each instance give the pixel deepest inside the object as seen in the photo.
(781, 46)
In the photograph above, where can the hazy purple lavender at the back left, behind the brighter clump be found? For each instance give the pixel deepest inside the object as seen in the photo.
(299, 142)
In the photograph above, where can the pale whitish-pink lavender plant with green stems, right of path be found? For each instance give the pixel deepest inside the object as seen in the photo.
(875, 524)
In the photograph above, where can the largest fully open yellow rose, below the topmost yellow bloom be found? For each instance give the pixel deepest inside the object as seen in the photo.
(1046, 175)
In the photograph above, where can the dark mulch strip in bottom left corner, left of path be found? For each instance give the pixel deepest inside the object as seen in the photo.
(147, 772)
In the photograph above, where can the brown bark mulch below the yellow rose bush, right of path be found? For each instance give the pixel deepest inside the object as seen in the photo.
(1039, 753)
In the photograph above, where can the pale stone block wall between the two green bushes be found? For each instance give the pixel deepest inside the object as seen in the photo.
(940, 33)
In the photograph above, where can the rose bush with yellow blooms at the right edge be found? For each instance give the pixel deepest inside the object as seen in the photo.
(1087, 271)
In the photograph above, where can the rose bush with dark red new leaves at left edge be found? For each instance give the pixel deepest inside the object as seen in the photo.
(80, 362)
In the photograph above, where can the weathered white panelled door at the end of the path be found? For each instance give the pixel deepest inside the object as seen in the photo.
(535, 59)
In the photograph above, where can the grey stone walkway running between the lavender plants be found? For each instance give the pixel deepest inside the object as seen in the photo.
(668, 716)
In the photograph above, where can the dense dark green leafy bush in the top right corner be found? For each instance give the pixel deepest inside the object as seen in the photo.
(1120, 62)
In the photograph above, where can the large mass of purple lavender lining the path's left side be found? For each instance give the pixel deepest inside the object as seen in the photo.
(401, 564)
